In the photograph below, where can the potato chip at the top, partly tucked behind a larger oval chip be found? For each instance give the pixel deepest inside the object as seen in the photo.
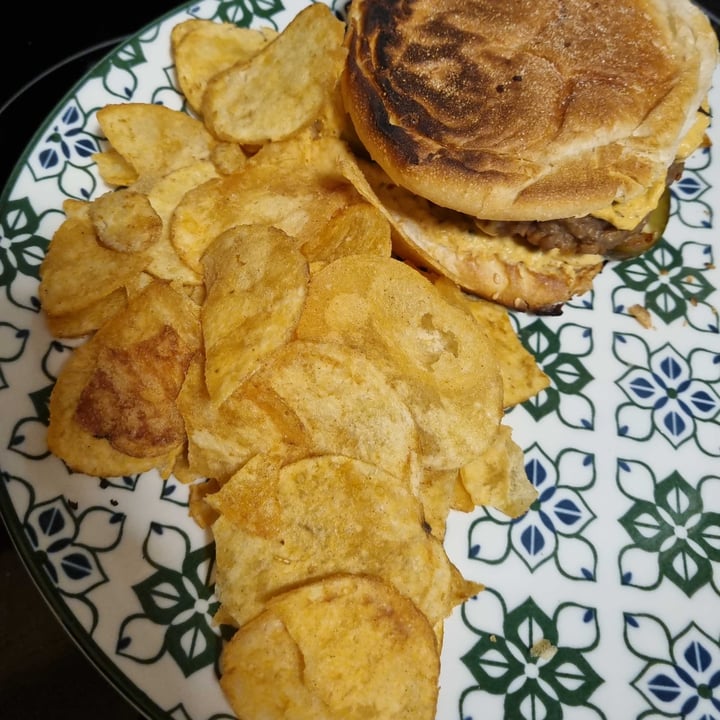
(203, 48)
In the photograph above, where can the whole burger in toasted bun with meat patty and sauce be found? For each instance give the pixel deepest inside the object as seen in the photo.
(535, 140)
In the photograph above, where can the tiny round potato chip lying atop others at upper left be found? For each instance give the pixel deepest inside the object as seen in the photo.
(125, 221)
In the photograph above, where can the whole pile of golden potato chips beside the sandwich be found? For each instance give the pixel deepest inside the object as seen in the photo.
(248, 330)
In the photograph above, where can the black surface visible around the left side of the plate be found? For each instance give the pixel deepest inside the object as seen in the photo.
(44, 50)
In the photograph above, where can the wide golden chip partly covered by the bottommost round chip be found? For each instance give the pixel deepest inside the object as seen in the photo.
(324, 515)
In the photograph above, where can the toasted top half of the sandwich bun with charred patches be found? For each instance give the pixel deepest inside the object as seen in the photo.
(526, 110)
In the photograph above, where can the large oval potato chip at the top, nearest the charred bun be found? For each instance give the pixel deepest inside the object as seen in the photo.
(283, 87)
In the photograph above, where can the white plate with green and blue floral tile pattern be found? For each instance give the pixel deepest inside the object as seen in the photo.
(600, 602)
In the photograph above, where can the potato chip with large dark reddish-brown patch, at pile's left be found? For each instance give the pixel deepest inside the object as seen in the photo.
(112, 409)
